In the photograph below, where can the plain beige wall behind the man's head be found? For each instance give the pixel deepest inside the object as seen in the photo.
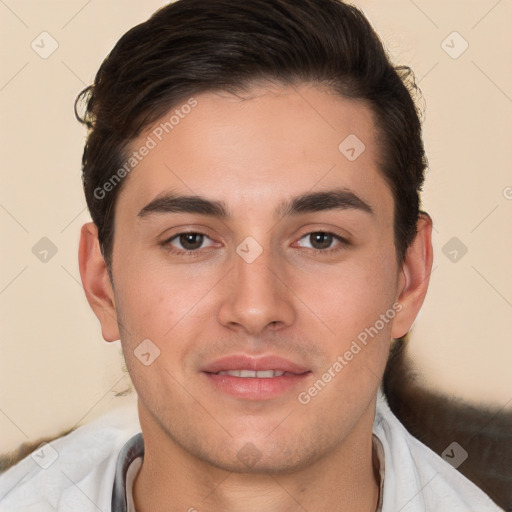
(55, 369)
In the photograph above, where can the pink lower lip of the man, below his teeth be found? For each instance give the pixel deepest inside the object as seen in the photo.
(253, 388)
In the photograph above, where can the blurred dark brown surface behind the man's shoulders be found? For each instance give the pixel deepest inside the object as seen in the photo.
(435, 419)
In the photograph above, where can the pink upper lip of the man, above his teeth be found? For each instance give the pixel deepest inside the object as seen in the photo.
(246, 362)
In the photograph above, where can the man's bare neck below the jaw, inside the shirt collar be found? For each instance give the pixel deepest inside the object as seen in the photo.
(172, 479)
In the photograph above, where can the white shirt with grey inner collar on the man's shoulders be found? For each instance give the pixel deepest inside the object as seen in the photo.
(81, 477)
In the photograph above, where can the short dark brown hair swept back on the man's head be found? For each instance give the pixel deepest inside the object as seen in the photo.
(193, 46)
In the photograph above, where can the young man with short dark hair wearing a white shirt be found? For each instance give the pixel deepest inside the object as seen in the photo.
(253, 173)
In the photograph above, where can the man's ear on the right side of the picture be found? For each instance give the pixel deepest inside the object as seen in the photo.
(415, 276)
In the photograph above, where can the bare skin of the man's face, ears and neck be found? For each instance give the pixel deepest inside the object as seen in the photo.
(308, 306)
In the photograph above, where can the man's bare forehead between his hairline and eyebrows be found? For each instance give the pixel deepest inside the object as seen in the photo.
(254, 150)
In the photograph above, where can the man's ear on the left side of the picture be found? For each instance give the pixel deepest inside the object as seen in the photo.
(96, 281)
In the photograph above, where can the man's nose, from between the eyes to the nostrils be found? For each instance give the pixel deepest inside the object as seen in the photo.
(257, 296)
